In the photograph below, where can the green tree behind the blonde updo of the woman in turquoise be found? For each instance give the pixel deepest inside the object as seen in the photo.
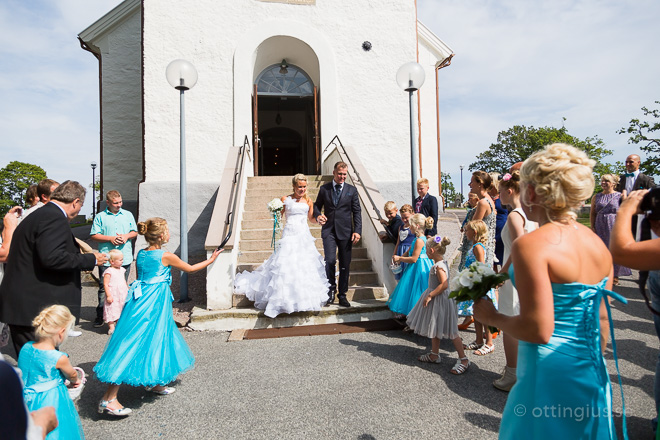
(519, 142)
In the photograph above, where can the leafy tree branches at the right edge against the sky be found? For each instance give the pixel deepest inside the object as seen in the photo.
(646, 134)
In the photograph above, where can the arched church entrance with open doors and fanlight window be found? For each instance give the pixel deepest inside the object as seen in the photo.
(285, 109)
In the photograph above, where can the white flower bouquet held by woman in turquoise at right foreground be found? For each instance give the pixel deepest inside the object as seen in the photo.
(475, 282)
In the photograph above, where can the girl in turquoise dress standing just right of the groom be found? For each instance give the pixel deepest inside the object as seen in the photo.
(414, 280)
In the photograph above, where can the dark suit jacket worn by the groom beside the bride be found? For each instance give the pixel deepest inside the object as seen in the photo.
(343, 219)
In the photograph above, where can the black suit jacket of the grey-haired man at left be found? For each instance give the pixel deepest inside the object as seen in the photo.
(43, 267)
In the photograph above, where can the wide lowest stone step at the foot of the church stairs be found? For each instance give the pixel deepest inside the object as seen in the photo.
(250, 318)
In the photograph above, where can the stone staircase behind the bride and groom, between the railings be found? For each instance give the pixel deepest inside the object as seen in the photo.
(257, 230)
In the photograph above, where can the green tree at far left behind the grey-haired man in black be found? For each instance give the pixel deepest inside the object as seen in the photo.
(15, 179)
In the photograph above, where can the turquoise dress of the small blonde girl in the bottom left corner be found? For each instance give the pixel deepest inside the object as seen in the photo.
(44, 386)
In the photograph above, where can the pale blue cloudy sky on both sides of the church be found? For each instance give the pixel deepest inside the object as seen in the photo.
(594, 62)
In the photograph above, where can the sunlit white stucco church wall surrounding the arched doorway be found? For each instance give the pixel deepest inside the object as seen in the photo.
(363, 105)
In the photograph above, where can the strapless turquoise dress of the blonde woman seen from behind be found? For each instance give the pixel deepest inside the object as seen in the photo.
(567, 374)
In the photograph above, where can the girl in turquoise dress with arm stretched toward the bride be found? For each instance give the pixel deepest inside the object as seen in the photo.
(146, 348)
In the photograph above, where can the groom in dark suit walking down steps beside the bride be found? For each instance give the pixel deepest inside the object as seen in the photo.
(342, 226)
